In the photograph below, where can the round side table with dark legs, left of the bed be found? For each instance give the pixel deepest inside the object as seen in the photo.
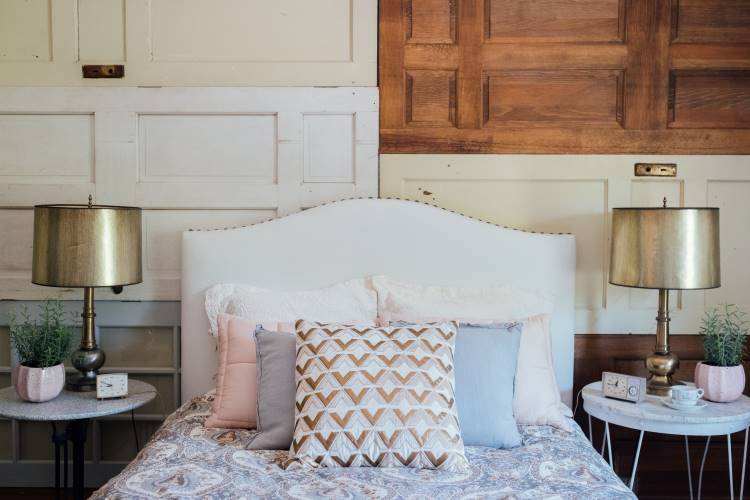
(78, 408)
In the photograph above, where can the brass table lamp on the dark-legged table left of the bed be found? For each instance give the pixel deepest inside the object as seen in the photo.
(86, 246)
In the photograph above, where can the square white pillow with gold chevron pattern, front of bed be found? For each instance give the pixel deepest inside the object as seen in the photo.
(376, 397)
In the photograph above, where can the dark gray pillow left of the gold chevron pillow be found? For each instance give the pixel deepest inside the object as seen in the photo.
(276, 356)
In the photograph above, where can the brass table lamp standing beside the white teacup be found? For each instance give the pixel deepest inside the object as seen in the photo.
(665, 249)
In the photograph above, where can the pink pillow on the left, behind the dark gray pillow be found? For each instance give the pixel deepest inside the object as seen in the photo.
(235, 403)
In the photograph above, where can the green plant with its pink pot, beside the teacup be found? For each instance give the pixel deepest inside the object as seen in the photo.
(721, 375)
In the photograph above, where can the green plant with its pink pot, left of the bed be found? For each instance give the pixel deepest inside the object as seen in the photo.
(41, 346)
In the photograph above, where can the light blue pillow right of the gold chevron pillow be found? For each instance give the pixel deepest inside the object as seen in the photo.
(485, 369)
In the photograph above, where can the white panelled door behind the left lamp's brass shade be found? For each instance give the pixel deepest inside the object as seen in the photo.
(191, 157)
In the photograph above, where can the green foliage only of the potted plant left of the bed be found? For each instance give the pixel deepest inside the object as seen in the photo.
(42, 342)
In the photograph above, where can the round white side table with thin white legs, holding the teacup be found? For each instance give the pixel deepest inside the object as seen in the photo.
(651, 415)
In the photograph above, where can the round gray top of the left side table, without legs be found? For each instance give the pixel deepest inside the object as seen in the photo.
(74, 405)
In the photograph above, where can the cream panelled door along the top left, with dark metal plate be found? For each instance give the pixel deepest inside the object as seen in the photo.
(192, 42)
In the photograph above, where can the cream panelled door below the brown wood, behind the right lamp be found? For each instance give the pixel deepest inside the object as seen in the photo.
(575, 194)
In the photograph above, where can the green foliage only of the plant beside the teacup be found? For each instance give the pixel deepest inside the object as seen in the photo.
(724, 331)
